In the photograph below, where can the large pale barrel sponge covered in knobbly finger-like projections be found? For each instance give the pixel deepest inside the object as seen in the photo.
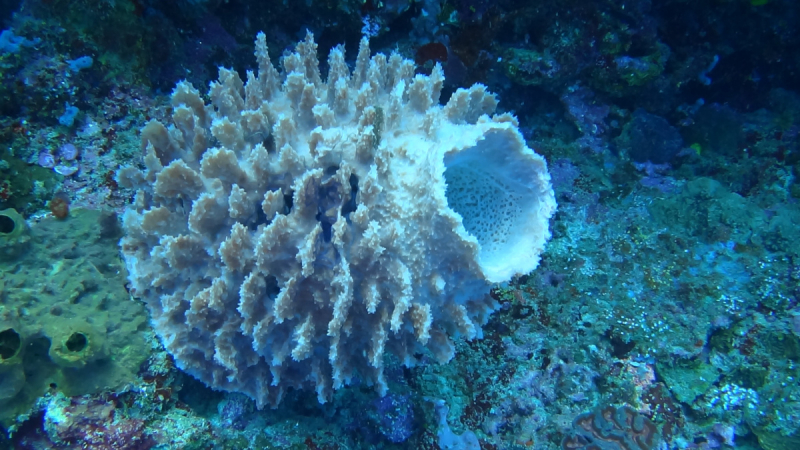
(296, 230)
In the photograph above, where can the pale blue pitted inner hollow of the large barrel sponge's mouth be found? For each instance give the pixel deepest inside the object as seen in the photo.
(489, 186)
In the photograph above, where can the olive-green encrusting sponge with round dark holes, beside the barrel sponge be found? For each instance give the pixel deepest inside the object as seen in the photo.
(66, 321)
